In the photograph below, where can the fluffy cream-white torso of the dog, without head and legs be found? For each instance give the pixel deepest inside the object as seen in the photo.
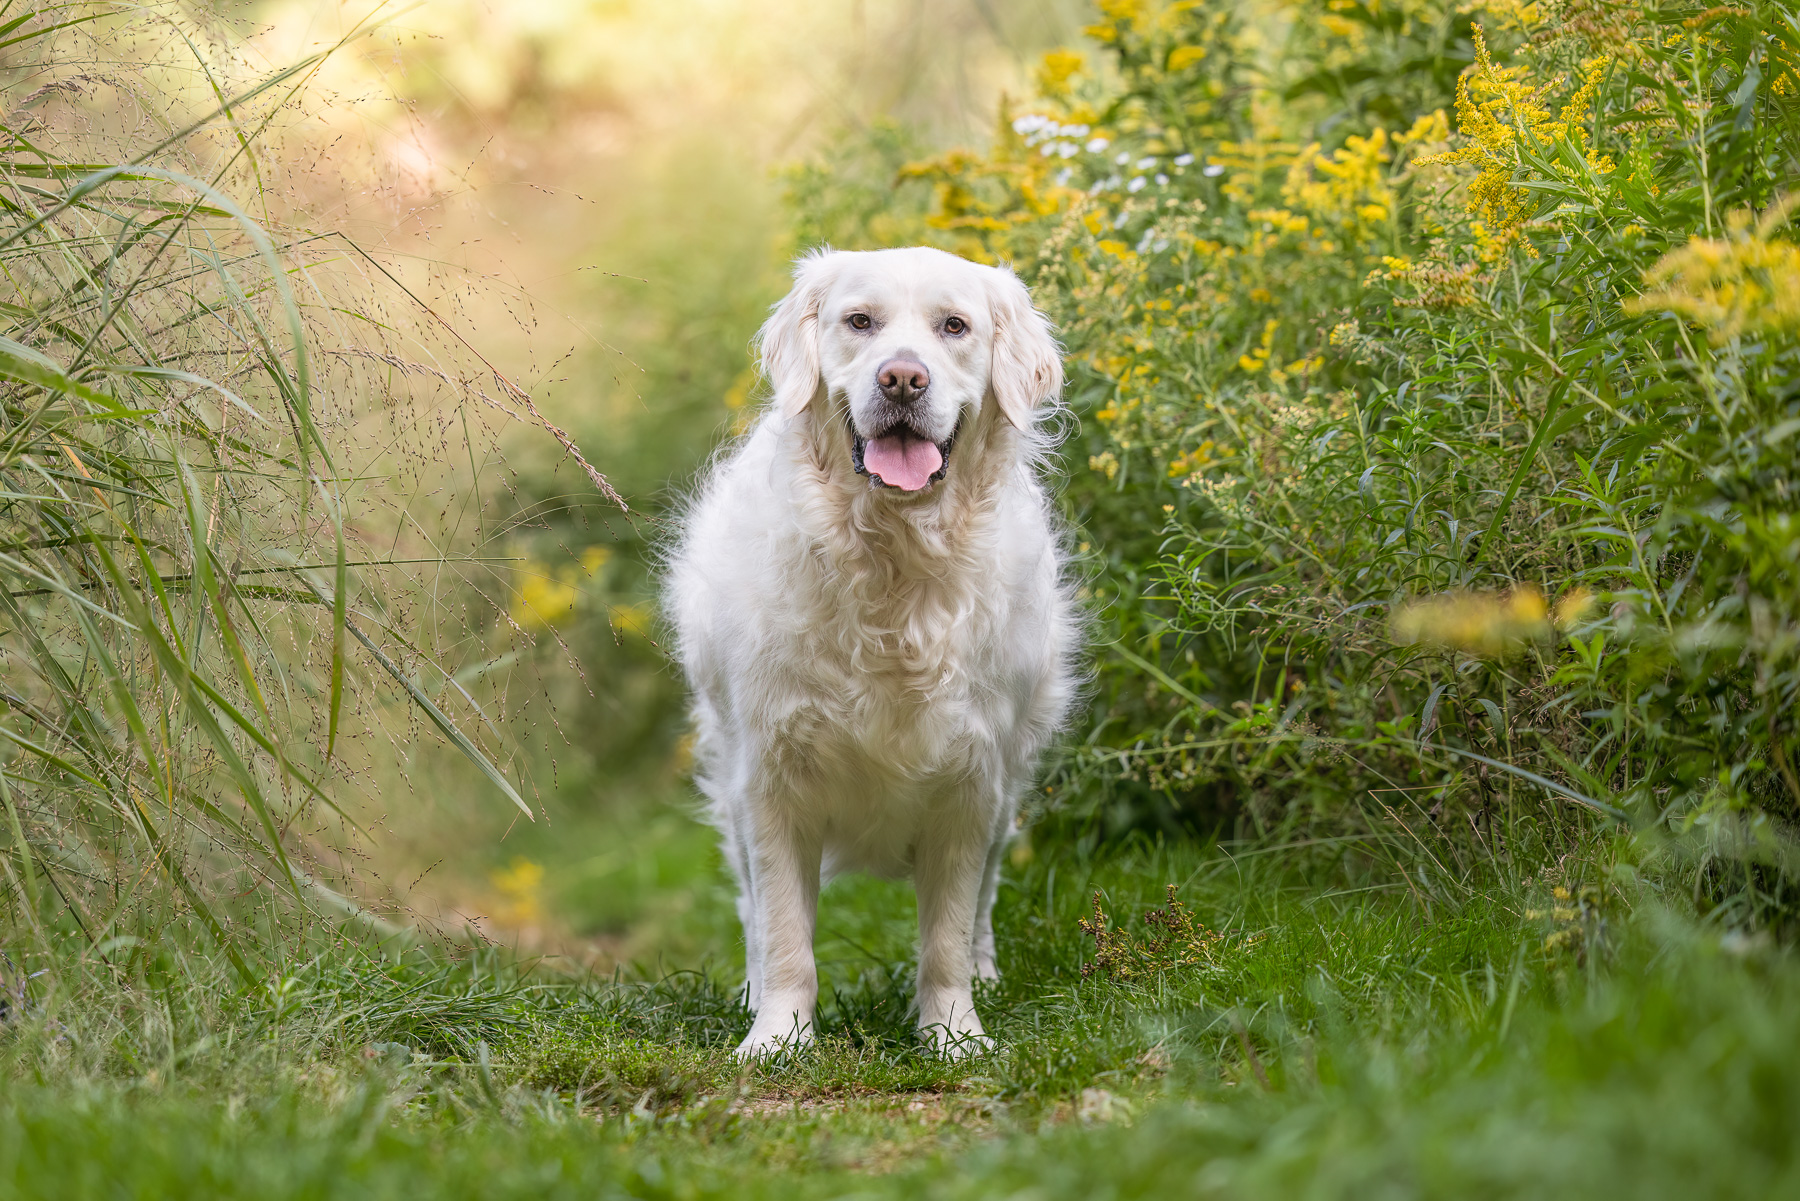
(861, 664)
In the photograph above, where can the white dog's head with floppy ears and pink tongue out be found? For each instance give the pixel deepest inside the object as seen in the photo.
(904, 348)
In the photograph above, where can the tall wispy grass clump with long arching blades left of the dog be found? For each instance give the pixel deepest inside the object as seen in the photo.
(215, 440)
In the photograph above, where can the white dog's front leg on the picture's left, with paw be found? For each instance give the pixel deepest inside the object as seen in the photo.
(784, 862)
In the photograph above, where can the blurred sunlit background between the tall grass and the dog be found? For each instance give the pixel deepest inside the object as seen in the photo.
(593, 194)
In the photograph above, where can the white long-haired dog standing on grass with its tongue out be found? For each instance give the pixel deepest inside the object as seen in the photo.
(872, 613)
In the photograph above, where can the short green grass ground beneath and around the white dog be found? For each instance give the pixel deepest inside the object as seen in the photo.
(1340, 1020)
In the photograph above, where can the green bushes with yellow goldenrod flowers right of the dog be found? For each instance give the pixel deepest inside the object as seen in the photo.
(1437, 377)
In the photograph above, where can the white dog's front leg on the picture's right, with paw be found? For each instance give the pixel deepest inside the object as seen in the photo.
(948, 869)
